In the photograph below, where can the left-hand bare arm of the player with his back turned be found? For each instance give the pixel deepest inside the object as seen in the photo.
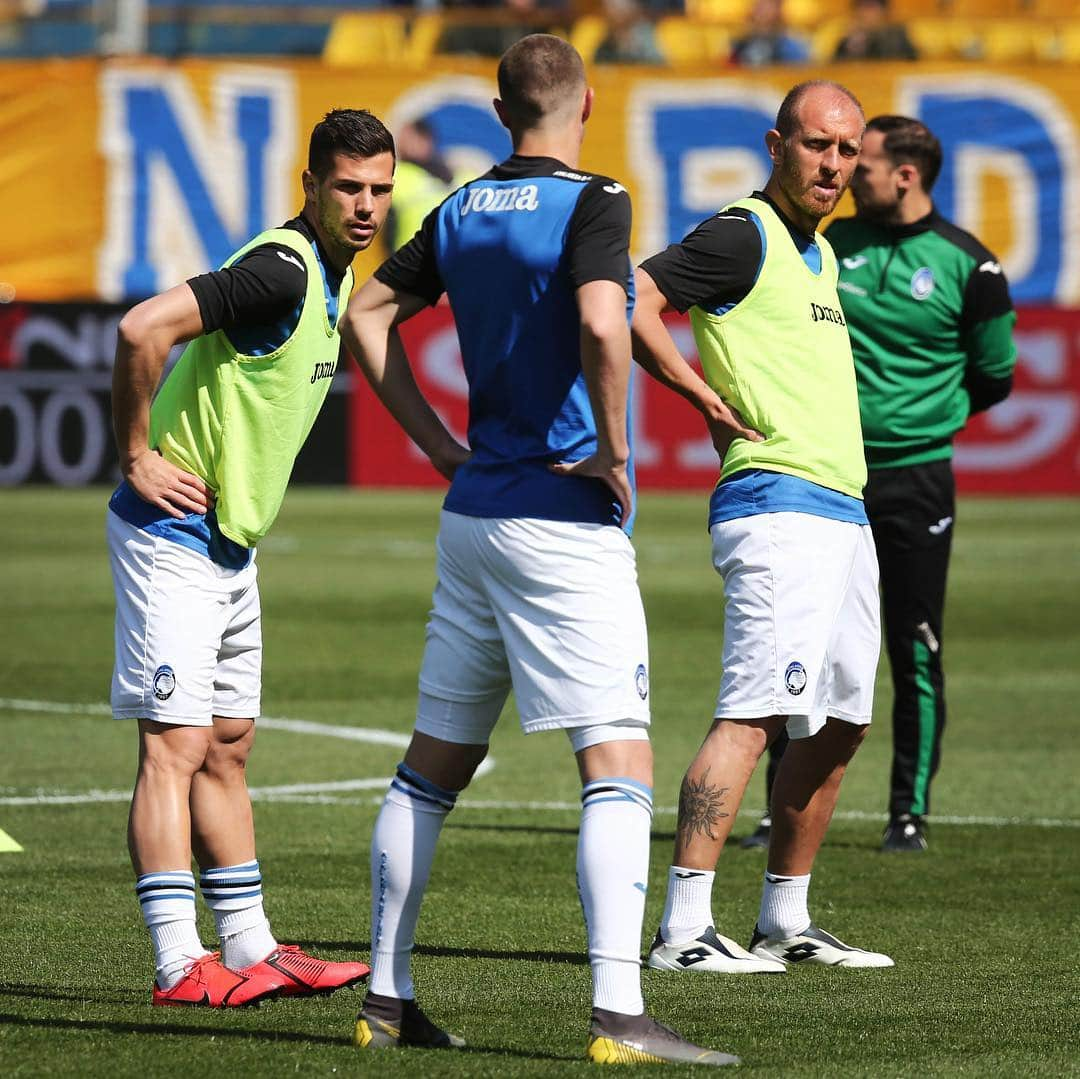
(370, 331)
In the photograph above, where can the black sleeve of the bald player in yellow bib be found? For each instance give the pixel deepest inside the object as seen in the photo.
(715, 266)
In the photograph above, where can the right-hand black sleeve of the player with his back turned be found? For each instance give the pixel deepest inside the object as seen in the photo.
(599, 237)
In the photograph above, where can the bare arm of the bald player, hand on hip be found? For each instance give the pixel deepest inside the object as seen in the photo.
(656, 352)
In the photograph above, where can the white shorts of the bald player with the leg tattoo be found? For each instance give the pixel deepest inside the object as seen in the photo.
(802, 630)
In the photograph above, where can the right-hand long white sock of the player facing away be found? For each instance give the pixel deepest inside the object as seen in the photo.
(613, 875)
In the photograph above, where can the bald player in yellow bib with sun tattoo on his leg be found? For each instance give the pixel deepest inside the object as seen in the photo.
(789, 530)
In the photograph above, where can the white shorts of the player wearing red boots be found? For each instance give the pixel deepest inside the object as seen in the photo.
(188, 632)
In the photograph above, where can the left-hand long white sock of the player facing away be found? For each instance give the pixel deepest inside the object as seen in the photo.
(403, 848)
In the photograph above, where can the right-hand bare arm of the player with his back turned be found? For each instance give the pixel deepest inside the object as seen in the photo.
(605, 362)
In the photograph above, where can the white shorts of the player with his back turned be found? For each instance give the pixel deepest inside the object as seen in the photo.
(549, 609)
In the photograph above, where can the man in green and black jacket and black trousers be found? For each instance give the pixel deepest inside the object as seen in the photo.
(931, 323)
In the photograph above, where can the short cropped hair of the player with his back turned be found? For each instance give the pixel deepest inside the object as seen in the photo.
(537, 75)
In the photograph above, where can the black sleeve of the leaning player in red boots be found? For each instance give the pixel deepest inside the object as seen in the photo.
(261, 289)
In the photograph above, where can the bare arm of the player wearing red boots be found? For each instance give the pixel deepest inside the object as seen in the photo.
(144, 340)
